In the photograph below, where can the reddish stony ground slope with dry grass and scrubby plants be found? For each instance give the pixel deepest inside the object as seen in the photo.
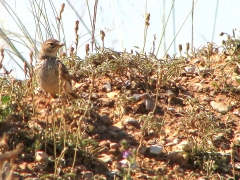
(139, 117)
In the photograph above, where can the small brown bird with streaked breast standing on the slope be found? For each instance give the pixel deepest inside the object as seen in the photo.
(49, 70)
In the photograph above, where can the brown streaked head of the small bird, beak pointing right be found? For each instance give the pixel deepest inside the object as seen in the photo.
(50, 48)
